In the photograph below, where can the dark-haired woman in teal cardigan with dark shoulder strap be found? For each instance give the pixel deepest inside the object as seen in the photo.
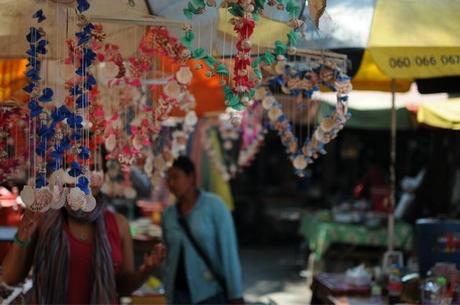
(188, 279)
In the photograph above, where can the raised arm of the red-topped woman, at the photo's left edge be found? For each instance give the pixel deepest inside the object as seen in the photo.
(18, 261)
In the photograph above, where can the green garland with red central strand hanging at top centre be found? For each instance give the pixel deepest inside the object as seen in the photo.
(245, 14)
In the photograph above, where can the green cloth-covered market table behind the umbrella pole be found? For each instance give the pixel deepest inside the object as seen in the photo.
(321, 232)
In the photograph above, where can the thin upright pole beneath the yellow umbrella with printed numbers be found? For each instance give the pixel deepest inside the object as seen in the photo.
(392, 201)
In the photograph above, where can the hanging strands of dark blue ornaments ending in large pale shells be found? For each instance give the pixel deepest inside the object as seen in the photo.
(60, 163)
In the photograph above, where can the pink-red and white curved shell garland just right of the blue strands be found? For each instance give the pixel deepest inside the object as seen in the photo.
(156, 42)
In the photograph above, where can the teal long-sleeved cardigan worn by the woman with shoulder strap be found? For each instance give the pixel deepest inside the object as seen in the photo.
(212, 226)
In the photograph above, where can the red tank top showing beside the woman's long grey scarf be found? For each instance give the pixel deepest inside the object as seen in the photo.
(80, 261)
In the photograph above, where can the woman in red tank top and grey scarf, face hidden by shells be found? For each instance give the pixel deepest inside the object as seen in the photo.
(78, 257)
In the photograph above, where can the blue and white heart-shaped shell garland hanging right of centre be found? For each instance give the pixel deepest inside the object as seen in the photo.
(302, 152)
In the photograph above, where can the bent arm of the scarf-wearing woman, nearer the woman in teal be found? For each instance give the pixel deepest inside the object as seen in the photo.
(130, 279)
